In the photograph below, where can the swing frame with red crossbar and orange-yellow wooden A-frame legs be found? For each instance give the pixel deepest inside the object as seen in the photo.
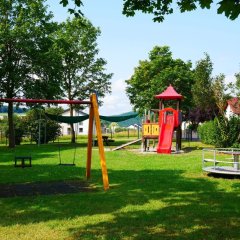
(93, 115)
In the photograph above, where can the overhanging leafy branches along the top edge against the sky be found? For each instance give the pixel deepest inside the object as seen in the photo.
(160, 8)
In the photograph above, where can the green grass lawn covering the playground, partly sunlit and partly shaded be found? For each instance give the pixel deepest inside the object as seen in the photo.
(151, 196)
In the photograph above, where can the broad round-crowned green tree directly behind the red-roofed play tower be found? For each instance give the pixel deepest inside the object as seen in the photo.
(153, 76)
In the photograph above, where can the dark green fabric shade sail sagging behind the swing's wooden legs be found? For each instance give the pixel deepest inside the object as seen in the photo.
(76, 119)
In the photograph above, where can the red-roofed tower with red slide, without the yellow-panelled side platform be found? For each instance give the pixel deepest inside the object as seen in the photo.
(169, 120)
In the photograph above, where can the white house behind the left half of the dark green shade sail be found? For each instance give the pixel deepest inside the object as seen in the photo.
(80, 128)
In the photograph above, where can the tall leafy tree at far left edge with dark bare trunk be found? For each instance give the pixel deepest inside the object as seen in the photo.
(21, 25)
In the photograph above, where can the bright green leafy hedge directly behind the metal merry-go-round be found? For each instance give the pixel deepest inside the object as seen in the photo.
(221, 132)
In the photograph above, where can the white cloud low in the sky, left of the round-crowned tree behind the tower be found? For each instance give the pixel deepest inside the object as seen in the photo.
(117, 102)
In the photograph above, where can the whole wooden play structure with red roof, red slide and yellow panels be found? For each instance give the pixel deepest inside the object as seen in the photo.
(164, 122)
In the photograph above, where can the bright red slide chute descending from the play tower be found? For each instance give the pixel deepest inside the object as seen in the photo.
(166, 133)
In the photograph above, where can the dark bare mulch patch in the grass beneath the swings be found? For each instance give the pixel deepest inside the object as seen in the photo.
(44, 188)
